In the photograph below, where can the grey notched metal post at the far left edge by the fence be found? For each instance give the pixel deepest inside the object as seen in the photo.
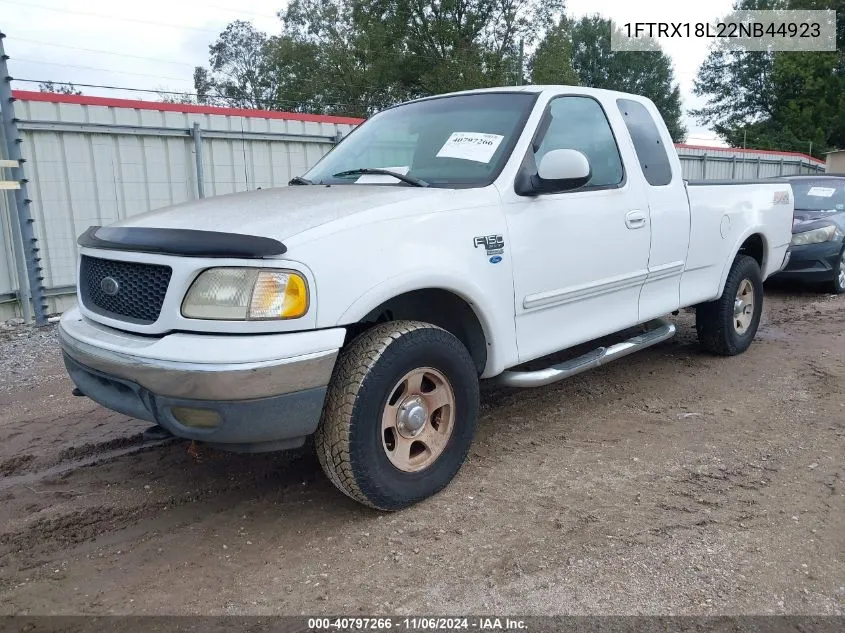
(22, 200)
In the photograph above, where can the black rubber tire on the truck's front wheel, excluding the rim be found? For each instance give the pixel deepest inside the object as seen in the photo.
(349, 437)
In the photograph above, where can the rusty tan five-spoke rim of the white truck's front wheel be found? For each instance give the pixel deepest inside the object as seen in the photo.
(418, 419)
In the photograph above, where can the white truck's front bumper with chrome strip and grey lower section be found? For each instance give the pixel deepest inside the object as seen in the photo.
(244, 393)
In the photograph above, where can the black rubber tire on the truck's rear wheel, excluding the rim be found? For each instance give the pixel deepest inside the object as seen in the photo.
(714, 320)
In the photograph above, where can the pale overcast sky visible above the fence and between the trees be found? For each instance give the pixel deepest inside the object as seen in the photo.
(156, 43)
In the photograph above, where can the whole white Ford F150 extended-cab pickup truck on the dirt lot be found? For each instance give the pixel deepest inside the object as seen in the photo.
(445, 240)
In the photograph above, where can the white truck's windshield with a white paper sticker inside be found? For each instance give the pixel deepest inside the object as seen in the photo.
(460, 141)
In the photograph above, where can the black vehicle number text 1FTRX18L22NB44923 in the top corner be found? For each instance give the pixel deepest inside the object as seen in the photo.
(722, 29)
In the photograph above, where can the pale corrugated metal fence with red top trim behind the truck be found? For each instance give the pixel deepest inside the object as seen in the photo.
(93, 160)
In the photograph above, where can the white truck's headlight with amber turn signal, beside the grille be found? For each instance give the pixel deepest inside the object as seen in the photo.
(242, 294)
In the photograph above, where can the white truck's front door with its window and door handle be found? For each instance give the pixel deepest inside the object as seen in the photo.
(579, 258)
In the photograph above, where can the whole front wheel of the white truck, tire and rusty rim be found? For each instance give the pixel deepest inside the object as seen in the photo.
(399, 416)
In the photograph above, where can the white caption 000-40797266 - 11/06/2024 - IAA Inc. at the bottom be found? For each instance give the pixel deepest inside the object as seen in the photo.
(417, 624)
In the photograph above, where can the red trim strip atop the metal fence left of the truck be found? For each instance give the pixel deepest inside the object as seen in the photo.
(49, 97)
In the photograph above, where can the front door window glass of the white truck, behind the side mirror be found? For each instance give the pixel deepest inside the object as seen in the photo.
(580, 123)
